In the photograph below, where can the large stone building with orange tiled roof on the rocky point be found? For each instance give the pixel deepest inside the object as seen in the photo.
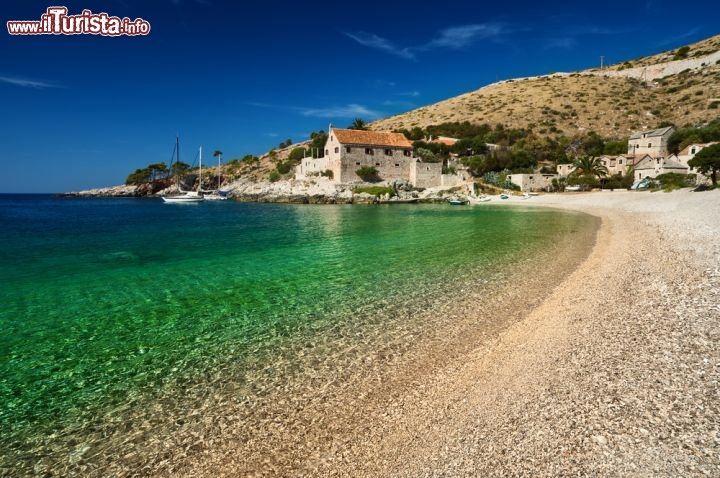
(391, 154)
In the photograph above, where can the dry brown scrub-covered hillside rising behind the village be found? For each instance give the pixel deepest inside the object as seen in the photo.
(614, 102)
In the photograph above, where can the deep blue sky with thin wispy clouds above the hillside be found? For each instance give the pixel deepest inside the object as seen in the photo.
(83, 111)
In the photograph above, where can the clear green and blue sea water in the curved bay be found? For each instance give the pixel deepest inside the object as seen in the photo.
(111, 305)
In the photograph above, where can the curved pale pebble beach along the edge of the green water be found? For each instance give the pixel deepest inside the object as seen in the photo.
(612, 372)
